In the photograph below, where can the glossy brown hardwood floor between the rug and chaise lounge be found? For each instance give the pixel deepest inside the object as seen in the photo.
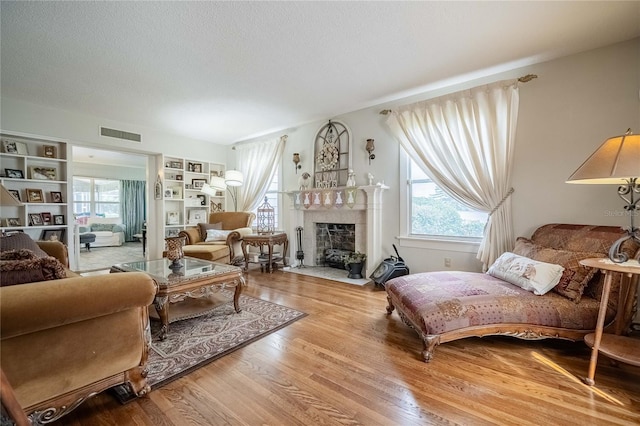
(347, 362)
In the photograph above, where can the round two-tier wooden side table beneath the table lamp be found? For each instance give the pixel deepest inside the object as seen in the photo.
(620, 348)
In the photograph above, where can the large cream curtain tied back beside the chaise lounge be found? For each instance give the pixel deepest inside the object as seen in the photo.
(465, 142)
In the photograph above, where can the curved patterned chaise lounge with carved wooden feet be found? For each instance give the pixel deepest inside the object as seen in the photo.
(444, 306)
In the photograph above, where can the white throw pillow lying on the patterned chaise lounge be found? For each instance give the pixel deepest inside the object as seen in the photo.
(531, 275)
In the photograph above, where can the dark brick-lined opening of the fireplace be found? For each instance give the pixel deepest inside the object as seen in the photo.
(333, 242)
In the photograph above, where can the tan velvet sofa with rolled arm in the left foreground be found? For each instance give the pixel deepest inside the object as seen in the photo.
(65, 339)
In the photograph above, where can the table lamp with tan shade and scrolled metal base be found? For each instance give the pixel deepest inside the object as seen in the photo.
(616, 161)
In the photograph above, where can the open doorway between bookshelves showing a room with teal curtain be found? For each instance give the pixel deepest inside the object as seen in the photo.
(109, 200)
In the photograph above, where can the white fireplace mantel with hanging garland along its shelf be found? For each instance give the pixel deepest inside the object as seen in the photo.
(367, 212)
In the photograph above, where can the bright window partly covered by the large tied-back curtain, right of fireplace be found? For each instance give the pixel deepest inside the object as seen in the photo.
(434, 213)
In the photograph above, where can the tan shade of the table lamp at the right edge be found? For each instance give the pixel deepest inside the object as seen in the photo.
(615, 162)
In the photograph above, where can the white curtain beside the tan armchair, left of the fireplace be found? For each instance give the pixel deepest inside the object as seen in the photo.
(257, 161)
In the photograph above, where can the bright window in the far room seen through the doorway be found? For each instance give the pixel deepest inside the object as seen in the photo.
(96, 197)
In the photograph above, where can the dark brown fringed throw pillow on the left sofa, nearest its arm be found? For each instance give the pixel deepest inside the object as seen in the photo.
(24, 271)
